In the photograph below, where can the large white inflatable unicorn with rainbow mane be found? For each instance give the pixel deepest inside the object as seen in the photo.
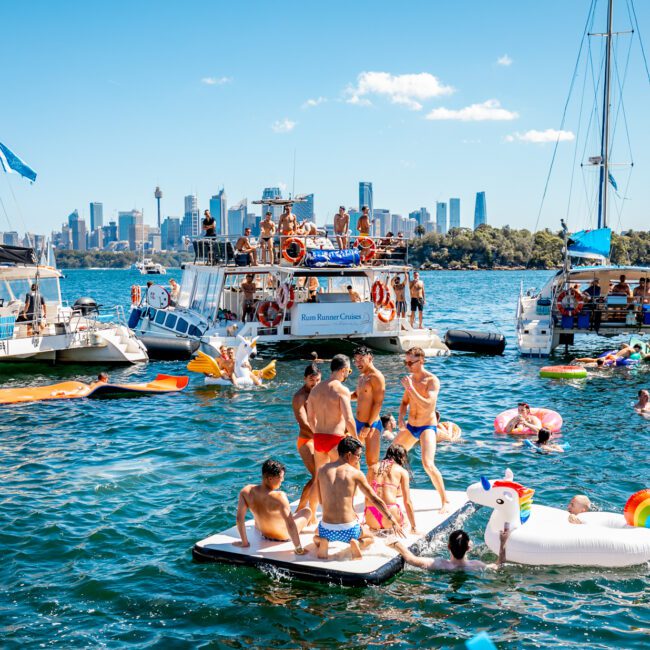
(541, 535)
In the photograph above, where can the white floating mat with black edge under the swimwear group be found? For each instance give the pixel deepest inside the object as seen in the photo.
(379, 562)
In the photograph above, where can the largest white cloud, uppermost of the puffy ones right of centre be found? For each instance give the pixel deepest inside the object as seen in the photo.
(405, 89)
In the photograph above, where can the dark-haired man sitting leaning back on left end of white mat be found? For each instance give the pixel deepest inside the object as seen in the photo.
(271, 510)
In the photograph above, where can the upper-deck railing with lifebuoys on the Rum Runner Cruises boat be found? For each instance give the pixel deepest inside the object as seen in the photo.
(293, 249)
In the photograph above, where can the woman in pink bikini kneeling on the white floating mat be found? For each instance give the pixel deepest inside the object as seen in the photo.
(388, 478)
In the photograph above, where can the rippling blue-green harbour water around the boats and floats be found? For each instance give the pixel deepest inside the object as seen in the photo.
(101, 502)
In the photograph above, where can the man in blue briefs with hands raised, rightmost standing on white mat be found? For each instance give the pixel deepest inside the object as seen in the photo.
(421, 390)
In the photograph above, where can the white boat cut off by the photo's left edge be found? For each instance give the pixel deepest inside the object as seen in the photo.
(62, 333)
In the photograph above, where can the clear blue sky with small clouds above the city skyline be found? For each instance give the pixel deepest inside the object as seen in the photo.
(107, 100)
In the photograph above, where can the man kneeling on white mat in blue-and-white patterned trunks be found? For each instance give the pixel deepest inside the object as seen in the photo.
(337, 484)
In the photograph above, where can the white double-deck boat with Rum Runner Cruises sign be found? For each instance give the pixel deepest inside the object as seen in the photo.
(315, 294)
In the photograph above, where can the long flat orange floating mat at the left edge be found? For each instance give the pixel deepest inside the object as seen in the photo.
(77, 389)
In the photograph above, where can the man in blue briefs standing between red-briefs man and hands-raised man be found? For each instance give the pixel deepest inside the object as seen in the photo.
(369, 394)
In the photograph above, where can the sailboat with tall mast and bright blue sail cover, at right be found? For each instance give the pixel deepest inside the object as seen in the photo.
(600, 299)
